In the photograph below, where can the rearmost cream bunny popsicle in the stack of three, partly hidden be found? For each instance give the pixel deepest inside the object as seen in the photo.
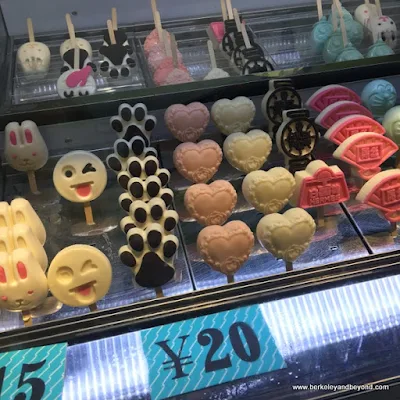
(20, 211)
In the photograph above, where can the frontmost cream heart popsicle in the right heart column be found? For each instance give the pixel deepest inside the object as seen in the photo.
(286, 236)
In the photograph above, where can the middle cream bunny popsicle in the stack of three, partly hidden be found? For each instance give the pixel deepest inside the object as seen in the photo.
(20, 236)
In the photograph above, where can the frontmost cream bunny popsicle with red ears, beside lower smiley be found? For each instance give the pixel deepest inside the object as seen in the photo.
(23, 284)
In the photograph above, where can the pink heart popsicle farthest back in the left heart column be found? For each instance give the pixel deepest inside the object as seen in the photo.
(187, 123)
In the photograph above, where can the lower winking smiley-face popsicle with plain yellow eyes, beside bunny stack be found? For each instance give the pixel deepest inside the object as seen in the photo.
(79, 276)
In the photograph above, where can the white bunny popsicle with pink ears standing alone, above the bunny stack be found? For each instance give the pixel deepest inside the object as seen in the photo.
(25, 150)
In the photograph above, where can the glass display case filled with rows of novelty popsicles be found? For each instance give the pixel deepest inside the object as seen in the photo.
(331, 310)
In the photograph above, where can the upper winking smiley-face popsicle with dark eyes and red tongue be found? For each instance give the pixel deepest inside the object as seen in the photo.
(80, 177)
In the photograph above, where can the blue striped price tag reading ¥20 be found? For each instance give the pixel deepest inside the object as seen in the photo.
(207, 351)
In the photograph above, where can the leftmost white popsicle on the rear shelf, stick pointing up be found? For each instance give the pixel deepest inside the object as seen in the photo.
(33, 57)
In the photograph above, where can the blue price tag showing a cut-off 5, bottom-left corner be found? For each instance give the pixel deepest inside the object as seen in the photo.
(37, 372)
